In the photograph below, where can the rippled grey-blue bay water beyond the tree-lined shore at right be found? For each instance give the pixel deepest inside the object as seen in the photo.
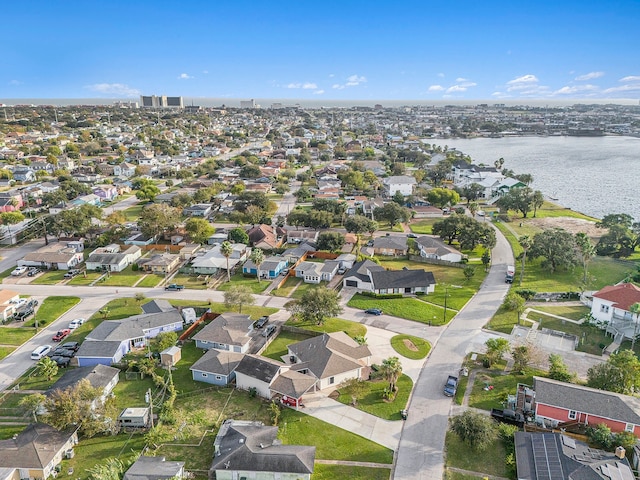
(593, 175)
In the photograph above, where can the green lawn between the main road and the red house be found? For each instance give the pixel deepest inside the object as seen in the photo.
(503, 385)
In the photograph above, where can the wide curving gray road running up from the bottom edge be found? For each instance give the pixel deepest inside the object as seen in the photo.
(420, 454)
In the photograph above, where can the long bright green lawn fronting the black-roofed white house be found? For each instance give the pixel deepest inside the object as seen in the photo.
(408, 308)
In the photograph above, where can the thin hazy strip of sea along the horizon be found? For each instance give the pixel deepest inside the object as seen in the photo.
(209, 102)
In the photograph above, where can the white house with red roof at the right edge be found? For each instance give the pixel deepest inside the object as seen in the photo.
(612, 306)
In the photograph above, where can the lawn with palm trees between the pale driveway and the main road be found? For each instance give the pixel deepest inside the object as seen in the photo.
(372, 401)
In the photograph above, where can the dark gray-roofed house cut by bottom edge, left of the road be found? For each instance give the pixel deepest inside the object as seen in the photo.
(245, 449)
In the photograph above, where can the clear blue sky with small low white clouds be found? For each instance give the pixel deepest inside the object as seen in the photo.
(343, 50)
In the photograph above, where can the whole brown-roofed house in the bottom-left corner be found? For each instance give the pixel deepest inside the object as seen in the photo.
(35, 452)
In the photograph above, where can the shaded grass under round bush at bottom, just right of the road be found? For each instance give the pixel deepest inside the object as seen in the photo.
(490, 461)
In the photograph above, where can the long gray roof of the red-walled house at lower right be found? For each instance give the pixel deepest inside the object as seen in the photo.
(615, 406)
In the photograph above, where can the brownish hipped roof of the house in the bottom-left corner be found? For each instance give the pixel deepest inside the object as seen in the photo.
(34, 448)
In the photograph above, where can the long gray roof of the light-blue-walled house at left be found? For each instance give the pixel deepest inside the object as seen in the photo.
(133, 327)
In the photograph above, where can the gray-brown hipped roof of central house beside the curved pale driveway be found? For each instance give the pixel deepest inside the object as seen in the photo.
(330, 354)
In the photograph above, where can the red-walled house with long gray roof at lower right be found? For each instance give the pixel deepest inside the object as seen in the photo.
(554, 402)
